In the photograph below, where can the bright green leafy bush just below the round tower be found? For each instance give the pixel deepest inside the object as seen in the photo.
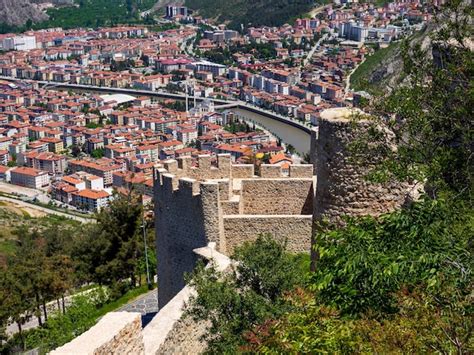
(361, 266)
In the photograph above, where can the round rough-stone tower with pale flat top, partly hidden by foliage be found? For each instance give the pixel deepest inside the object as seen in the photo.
(341, 187)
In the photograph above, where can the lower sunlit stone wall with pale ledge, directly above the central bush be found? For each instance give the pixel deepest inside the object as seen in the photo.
(244, 228)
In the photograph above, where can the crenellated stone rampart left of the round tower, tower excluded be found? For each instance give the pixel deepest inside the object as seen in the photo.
(226, 204)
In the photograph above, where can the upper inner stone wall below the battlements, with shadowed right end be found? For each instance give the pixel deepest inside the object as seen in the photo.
(276, 196)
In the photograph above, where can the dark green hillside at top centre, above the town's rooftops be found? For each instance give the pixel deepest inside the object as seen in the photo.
(254, 12)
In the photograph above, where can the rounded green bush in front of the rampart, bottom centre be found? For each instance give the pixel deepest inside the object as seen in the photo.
(253, 291)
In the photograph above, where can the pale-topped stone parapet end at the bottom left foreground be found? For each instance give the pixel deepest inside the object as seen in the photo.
(116, 333)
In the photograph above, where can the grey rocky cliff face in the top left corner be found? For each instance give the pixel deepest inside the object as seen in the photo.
(17, 12)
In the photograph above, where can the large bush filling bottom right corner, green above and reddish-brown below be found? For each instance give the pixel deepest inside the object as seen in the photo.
(400, 283)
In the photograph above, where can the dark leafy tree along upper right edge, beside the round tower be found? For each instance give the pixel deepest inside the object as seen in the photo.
(428, 118)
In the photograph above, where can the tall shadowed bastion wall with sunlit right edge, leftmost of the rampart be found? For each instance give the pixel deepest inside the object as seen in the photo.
(187, 217)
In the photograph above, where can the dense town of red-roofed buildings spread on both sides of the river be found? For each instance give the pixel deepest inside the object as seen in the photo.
(79, 146)
